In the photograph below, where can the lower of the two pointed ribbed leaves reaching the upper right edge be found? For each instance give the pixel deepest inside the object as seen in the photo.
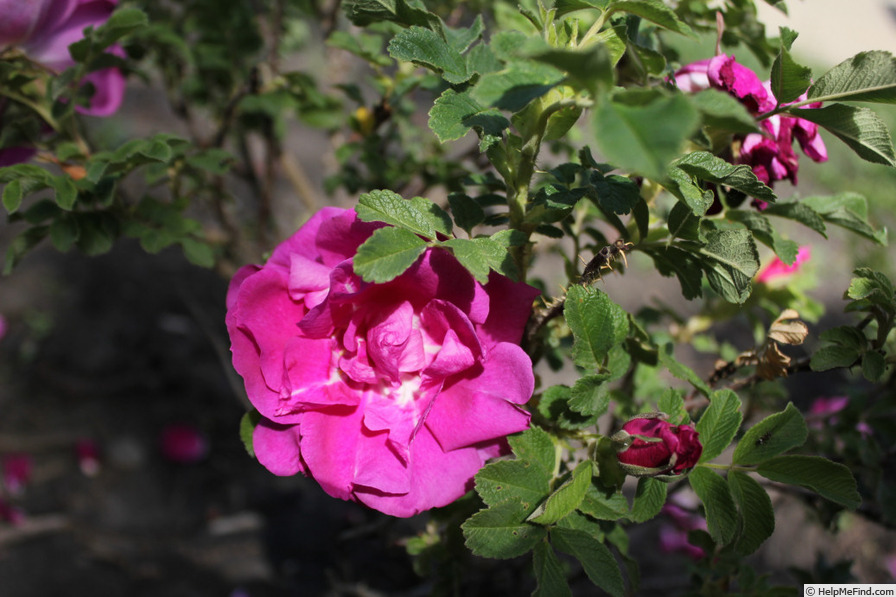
(860, 128)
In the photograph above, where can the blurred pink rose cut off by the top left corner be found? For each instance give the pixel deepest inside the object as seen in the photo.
(44, 29)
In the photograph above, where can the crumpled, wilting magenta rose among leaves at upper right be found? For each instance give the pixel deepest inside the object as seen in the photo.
(770, 154)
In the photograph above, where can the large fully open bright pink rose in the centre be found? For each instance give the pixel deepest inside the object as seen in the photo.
(393, 395)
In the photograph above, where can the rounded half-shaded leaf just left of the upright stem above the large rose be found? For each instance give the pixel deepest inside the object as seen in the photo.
(454, 113)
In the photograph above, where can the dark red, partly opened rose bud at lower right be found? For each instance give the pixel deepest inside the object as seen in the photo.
(649, 446)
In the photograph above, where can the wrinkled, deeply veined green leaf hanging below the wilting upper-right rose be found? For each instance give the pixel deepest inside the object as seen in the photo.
(732, 261)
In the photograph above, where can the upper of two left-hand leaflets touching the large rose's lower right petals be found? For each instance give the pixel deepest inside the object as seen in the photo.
(520, 480)
